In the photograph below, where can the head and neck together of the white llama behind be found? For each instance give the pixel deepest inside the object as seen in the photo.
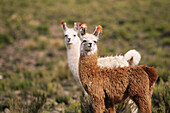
(72, 42)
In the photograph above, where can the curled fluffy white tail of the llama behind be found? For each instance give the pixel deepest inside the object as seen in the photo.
(133, 57)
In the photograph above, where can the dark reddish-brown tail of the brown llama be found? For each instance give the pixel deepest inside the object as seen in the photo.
(153, 76)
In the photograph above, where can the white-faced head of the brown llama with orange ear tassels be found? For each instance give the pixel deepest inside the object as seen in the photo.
(89, 41)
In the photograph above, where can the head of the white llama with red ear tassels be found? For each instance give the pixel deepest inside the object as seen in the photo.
(71, 34)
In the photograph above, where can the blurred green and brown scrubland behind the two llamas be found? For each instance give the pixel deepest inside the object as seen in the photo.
(34, 73)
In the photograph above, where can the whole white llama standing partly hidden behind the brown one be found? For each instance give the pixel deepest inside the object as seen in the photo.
(72, 42)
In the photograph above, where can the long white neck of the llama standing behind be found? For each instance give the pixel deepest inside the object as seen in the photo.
(73, 54)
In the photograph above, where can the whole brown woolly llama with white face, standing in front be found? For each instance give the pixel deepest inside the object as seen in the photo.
(110, 86)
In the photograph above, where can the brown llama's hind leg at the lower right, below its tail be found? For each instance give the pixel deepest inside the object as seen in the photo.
(143, 103)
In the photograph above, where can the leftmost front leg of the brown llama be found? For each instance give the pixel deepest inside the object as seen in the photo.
(98, 105)
